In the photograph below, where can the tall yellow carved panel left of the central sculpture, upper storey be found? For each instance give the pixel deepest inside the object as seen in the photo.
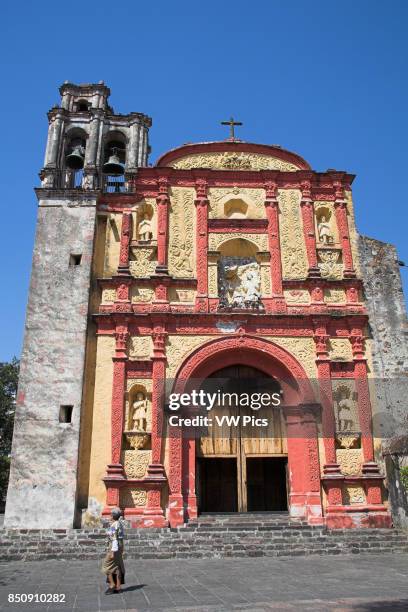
(181, 232)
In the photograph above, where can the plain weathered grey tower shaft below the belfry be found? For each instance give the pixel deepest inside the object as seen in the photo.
(42, 487)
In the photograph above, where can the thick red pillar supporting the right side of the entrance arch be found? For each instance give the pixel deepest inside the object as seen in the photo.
(303, 463)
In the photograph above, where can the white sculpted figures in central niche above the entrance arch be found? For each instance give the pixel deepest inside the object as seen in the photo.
(241, 287)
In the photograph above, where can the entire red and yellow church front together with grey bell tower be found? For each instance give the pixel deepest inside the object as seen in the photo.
(224, 259)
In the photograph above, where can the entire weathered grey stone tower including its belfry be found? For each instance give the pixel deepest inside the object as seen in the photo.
(90, 151)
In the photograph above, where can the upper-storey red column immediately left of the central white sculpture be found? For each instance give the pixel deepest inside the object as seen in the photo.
(201, 204)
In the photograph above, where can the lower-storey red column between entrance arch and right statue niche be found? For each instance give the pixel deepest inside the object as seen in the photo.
(331, 469)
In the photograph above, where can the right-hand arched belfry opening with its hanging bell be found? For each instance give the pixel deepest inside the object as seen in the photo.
(114, 161)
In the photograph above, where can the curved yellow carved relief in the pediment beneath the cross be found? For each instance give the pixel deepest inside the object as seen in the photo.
(233, 161)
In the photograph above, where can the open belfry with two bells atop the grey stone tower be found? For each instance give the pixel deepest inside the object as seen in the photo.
(84, 134)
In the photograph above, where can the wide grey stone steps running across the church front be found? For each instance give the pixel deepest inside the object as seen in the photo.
(210, 536)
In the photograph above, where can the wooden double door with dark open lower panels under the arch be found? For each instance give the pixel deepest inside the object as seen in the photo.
(242, 467)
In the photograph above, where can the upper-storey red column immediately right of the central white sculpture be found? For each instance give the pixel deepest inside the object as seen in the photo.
(272, 214)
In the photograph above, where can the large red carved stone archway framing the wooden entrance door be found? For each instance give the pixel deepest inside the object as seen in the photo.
(301, 413)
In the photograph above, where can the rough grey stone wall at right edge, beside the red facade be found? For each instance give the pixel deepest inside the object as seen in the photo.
(389, 332)
